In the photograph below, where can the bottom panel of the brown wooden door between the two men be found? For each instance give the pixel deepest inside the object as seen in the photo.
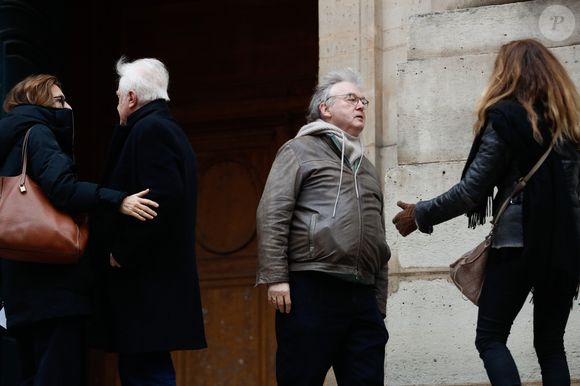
(239, 338)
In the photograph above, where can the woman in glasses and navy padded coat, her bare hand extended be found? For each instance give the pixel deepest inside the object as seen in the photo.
(46, 304)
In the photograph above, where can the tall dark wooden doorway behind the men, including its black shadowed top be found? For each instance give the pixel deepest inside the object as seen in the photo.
(241, 74)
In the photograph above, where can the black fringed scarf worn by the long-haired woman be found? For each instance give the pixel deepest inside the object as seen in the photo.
(551, 239)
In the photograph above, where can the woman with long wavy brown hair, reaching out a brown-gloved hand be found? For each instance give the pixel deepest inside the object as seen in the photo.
(529, 103)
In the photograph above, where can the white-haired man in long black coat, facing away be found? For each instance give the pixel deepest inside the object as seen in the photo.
(153, 301)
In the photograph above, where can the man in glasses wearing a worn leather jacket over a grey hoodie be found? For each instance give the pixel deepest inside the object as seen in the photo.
(321, 244)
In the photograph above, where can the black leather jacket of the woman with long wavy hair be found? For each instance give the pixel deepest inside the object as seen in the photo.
(494, 166)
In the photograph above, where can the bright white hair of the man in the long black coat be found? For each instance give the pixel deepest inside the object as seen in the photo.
(147, 78)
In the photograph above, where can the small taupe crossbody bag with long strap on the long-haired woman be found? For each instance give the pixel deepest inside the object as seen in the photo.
(468, 272)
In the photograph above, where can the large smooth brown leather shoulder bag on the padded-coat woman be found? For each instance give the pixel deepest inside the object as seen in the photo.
(31, 228)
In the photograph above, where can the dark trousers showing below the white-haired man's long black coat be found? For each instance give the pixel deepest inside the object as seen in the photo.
(146, 369)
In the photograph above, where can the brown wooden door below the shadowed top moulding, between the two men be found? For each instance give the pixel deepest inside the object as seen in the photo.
(233, 166)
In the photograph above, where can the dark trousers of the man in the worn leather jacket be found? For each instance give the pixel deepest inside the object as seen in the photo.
(333, 323)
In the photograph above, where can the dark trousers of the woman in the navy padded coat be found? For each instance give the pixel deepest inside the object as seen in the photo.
(51, 352)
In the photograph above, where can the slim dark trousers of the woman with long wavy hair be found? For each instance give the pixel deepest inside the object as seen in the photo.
(504, 292)
